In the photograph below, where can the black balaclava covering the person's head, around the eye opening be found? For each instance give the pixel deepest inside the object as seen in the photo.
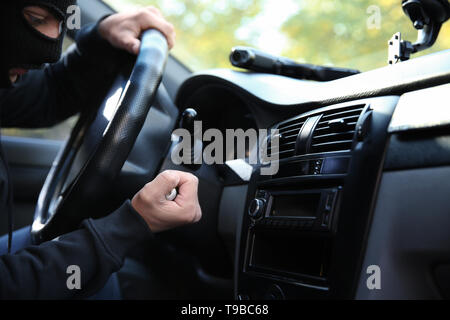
(22, 46)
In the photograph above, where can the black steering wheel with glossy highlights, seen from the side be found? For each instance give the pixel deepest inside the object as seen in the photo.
(98, 147)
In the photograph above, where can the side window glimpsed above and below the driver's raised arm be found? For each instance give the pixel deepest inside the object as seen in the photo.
(58, 132)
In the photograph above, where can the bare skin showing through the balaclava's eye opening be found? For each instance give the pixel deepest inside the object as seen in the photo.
(43, 20)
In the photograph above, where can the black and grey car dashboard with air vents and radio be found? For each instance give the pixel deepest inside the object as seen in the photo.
(313, 229)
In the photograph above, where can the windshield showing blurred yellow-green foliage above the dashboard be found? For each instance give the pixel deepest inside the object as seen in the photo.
(350, 33)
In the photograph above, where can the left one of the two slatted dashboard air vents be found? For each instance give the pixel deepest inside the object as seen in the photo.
(288, 131)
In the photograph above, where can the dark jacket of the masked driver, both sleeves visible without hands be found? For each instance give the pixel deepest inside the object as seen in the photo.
(41, 99)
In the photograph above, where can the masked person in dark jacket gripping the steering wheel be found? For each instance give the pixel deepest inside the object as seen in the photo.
(38, 91)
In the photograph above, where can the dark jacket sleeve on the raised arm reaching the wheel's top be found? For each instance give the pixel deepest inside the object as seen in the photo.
(43, 98)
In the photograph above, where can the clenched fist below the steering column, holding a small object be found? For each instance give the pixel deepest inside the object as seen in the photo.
(162, 214)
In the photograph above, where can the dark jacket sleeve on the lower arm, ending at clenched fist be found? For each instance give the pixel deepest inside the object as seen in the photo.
(98, 249)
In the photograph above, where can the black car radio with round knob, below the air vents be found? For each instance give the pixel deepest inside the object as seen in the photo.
(311, 210)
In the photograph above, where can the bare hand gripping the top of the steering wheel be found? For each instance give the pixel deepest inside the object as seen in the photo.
(123, 30)
